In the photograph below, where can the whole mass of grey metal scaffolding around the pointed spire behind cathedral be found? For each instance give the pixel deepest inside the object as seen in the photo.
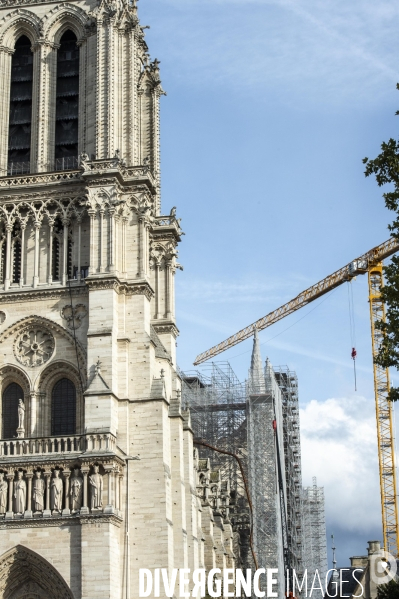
(258, 421)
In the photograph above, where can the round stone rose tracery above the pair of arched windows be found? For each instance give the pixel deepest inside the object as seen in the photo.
(34, 346)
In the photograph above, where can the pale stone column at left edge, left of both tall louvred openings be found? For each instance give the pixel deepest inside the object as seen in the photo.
(5, 75)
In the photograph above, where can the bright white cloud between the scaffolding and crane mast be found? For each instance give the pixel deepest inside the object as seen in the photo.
(339, 446)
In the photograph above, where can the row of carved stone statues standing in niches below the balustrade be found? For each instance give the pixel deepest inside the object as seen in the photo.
(57, 490)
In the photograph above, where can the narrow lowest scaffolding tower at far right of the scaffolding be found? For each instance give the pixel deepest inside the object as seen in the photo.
(314, 534)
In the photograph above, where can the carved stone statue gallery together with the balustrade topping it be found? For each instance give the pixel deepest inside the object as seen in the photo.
(44, 485)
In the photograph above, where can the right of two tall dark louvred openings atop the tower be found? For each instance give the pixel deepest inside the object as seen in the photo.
(67, 103)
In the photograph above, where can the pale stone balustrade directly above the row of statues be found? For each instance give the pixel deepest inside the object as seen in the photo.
(60, 444)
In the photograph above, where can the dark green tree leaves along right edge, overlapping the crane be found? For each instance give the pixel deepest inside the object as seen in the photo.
(385, 167)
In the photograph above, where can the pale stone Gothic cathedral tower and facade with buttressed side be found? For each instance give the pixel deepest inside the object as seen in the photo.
(98, 474)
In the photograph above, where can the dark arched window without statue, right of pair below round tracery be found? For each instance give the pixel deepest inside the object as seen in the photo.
(63, 408)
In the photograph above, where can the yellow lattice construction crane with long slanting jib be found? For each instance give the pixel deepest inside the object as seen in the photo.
(370, 263)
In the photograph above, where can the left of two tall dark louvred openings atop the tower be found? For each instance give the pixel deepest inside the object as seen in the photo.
(20, 107)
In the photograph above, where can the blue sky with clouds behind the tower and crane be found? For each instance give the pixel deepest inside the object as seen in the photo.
(271, 107)
